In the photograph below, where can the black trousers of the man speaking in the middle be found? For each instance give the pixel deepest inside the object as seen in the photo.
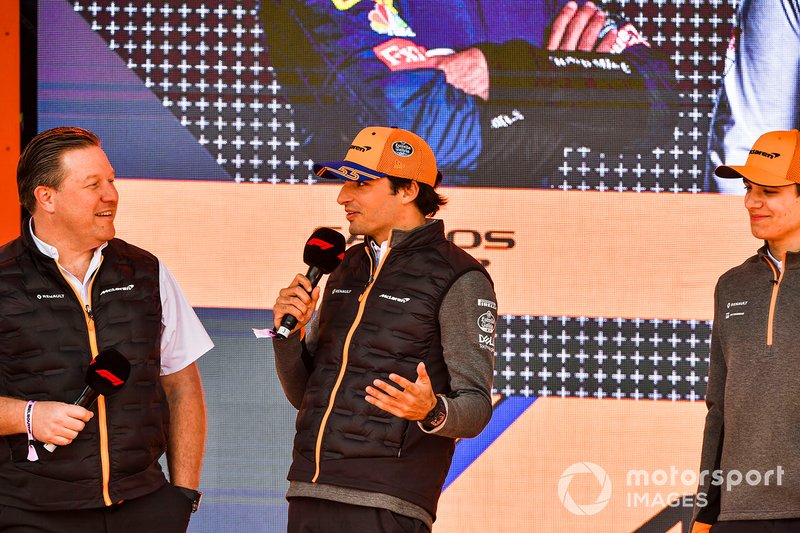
(313, 515)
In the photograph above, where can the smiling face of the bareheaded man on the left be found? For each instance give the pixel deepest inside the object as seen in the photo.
(82, 209)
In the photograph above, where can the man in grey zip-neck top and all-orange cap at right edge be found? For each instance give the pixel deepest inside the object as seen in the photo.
(750, 465)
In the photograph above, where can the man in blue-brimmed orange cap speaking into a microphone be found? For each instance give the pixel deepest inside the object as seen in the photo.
(398, 362)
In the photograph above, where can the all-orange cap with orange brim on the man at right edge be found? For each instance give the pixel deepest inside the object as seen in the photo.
(774, 161)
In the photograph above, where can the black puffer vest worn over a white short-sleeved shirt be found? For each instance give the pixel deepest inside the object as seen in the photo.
(44, 352)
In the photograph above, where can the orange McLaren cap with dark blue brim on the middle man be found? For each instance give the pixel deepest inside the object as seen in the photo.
(379, 152)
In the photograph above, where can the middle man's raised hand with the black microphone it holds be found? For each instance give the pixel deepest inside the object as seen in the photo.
(323, 252)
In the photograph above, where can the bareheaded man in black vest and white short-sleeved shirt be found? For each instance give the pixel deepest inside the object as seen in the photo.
(69, 291)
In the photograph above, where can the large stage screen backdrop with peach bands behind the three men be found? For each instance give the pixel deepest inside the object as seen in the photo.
(578, 179)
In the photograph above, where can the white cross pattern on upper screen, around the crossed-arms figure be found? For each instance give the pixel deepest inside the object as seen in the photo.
(184, 51)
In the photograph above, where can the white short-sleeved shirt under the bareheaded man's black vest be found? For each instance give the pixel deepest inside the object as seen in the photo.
(183, 337)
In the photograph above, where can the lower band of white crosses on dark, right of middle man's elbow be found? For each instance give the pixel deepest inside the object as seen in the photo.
(651, 360)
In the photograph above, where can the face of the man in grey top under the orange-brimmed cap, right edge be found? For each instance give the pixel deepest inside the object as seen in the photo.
(774, 216)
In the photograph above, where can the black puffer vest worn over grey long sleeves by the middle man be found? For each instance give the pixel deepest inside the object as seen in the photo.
(373, 323)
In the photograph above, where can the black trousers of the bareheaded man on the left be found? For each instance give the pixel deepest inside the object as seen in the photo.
(166, 510)
